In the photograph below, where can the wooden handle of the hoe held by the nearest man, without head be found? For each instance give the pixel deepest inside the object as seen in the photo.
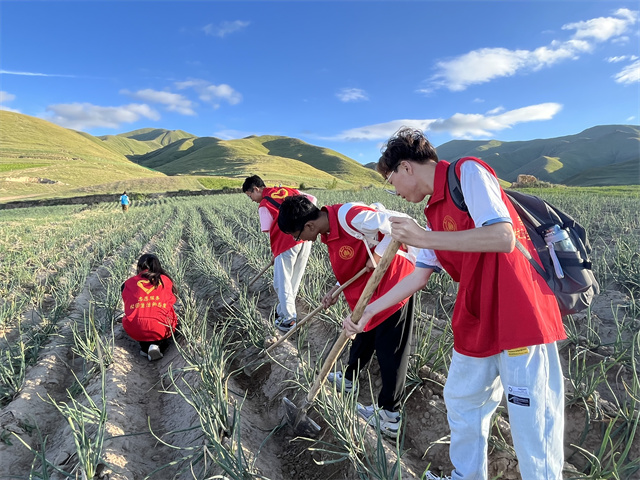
(367, 293)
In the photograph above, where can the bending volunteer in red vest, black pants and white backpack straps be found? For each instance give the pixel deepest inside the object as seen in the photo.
(356, 236)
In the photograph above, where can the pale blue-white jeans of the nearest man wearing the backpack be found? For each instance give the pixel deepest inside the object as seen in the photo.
(534, 386)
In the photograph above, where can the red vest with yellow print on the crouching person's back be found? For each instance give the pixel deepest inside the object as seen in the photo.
(148, 310)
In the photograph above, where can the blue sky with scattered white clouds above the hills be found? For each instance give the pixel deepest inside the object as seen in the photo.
(343, 75)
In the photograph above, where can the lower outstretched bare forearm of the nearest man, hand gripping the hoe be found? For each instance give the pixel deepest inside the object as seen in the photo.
(404, 289)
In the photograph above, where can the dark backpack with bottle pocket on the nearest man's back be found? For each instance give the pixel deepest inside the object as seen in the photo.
(575, 291)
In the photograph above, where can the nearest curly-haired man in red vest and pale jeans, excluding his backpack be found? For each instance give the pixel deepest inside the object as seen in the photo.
(506, 320)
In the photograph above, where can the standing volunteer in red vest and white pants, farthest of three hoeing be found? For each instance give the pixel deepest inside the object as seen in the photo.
(289, 256)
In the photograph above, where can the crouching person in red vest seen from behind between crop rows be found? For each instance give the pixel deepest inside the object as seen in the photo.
(148, 298)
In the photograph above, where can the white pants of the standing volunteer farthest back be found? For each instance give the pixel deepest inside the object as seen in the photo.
(288, 269)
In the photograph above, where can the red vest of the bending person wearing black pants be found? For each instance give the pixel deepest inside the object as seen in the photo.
(348, 255)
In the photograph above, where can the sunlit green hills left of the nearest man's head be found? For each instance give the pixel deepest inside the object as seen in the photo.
(41, 158)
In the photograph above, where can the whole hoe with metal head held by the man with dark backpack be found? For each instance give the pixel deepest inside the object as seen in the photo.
(297, 417)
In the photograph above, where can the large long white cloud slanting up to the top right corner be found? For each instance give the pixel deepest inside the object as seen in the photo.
(486, 64)
